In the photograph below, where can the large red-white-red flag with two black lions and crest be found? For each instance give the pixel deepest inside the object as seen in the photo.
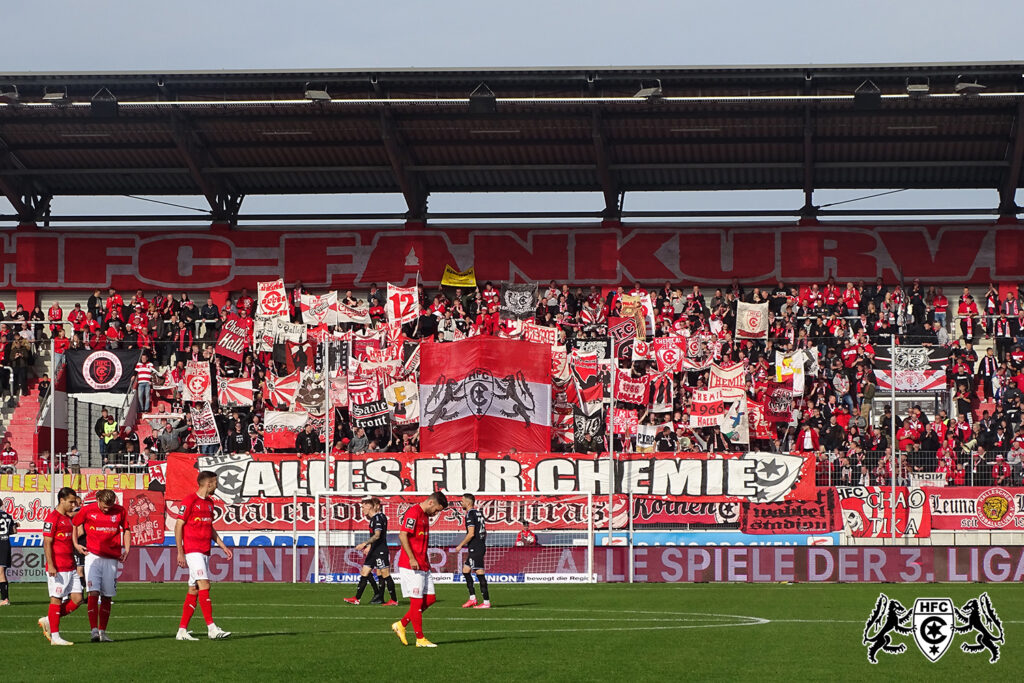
(486, 394)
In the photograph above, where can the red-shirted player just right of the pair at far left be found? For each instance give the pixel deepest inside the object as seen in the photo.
(194, 535)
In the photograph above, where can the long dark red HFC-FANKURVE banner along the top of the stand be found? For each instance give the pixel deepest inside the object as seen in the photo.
(329, 258)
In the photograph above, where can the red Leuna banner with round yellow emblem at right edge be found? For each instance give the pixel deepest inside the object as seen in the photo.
(976, 508)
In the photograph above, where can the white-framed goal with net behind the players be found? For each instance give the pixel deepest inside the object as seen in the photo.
(531, 538)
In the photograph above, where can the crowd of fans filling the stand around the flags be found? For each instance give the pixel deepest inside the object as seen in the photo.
(839, 325)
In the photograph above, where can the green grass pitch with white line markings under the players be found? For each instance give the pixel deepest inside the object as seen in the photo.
(534, 633)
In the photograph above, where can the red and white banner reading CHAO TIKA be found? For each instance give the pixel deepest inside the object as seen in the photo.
(868, 513)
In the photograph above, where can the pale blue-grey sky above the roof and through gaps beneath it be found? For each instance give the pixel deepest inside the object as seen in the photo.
(120, 35)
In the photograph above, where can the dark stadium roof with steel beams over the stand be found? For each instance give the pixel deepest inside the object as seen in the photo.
(613, 131)
